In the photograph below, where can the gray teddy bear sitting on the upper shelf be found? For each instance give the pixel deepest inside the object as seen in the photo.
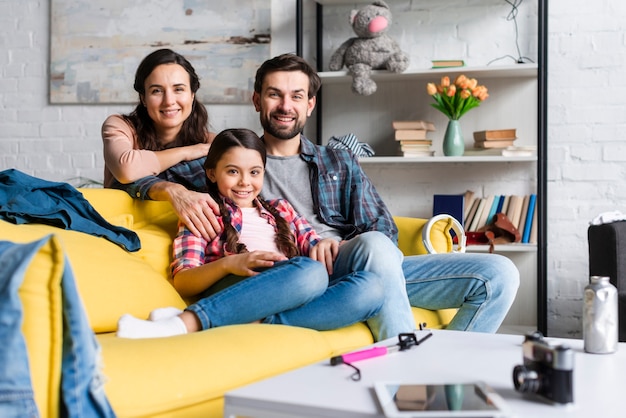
(372, 49)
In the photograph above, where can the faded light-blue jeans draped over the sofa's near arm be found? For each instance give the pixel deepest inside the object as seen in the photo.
(82, 392)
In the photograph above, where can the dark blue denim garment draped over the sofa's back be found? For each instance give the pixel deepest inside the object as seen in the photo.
(27, 199)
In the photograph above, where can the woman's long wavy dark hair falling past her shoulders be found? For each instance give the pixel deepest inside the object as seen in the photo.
(194, 130)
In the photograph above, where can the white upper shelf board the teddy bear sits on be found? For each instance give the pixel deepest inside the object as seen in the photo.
(500, 71)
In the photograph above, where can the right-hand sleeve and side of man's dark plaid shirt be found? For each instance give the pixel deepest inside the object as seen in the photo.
(343, 195)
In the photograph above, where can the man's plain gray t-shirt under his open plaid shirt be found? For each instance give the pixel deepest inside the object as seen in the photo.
(288, 178)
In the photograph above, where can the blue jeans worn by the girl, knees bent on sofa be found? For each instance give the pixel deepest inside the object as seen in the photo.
(294, 292)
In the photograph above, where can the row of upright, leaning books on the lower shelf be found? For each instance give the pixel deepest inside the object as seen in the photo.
(520, 209)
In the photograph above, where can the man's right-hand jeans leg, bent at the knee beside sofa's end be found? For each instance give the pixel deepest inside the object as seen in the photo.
(481, 286)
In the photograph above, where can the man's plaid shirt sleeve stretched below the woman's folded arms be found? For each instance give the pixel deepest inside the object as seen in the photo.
(190, 174)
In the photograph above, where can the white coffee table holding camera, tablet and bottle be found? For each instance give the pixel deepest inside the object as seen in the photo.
(322, 390)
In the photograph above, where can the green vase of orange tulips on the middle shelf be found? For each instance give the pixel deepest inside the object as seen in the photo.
(454, 100)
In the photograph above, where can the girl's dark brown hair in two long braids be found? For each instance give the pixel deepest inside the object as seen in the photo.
(245, 138)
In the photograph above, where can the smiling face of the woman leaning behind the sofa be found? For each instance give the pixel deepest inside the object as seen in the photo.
(168, 99)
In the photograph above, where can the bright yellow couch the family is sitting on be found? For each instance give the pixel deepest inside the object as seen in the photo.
(184, 376)
